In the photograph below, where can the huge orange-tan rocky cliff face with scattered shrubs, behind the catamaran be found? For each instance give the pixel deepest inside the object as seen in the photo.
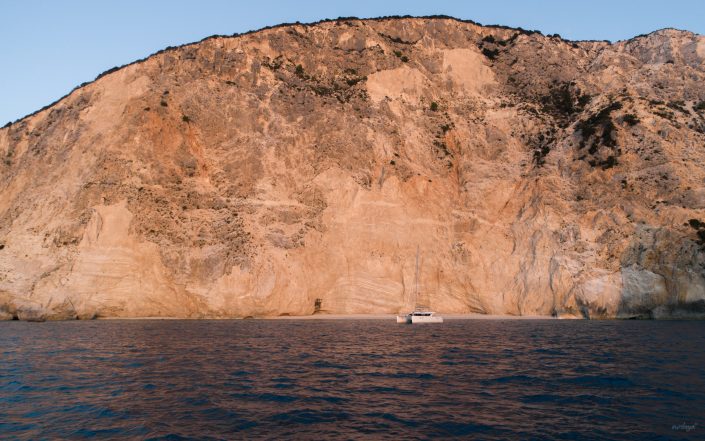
(252, 175)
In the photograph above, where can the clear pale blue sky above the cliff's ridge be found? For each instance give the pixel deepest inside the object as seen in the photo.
(48, 47)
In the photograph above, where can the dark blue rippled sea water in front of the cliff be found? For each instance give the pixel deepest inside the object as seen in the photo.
(338, 379)
